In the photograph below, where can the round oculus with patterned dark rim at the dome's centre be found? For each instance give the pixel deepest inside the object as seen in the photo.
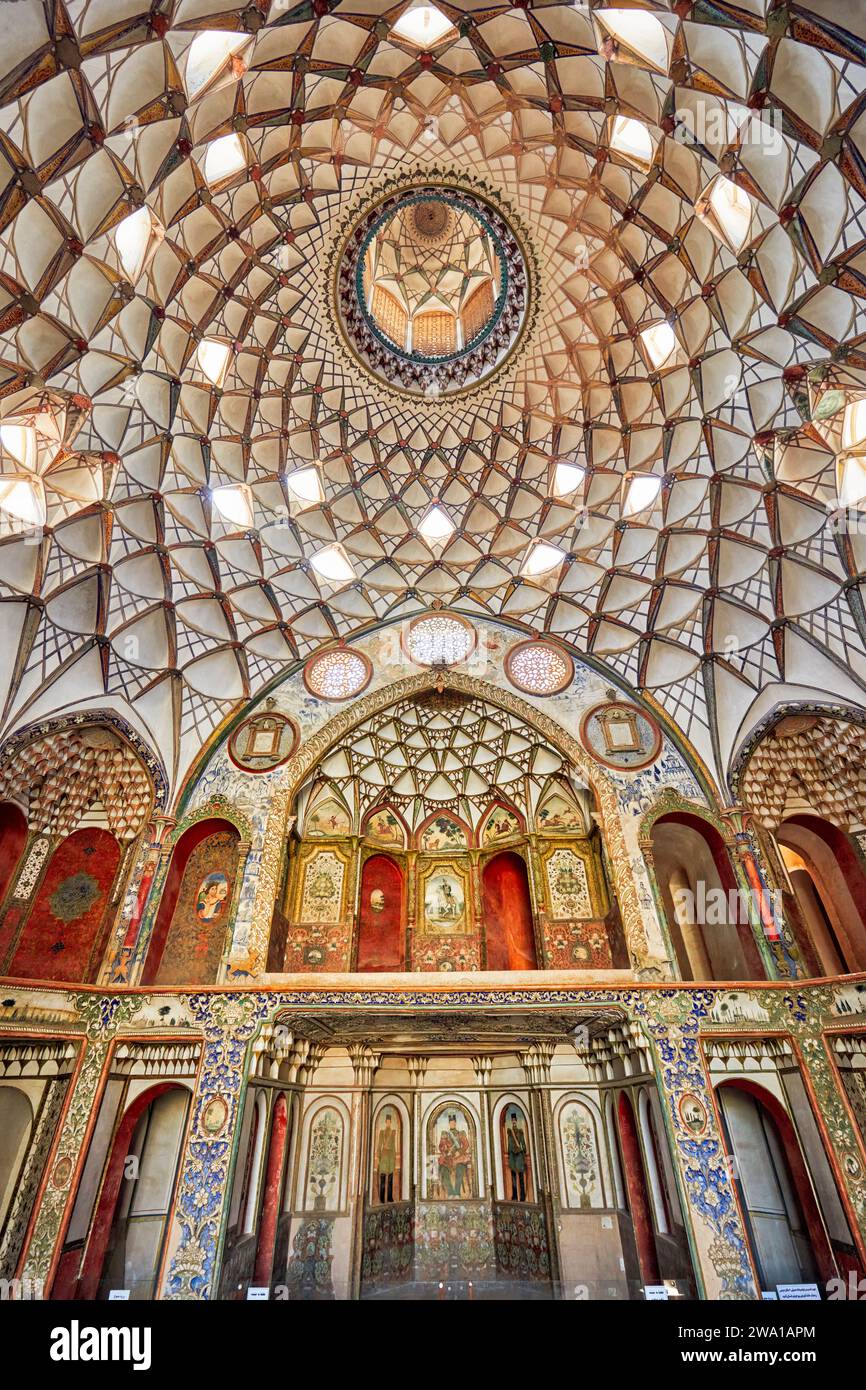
(432, 290)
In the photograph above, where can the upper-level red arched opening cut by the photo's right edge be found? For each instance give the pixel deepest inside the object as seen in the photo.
(829, 882)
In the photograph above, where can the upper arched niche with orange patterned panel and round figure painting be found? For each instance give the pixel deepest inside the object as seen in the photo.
(194, 917)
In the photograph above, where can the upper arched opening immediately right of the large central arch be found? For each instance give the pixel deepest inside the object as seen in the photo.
(708, 918)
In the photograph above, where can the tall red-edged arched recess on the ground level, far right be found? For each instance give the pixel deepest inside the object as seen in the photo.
(783, 1220)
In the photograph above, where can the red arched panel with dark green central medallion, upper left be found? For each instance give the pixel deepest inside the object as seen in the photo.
(63, 933)
